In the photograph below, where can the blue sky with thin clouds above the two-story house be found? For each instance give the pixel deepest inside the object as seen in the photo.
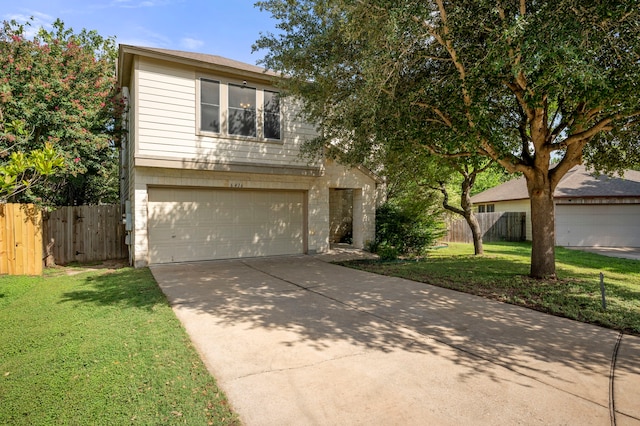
(220, 27)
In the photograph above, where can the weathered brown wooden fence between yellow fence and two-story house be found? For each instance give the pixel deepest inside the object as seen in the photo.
(84, 234)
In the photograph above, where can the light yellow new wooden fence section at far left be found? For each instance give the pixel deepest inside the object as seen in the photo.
(20, 239)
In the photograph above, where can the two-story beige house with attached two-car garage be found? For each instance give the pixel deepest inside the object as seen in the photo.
(211, 166)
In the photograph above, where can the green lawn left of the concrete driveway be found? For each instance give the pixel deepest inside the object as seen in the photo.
(99, 347)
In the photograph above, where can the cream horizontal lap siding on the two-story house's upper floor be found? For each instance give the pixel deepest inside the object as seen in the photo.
(166, 125)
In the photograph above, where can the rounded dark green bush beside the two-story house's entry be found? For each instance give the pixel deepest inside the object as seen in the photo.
(404, 229)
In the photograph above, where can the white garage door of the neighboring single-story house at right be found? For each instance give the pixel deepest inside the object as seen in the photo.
(598, 225)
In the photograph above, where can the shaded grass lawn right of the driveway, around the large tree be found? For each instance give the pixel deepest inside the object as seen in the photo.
(501, 274)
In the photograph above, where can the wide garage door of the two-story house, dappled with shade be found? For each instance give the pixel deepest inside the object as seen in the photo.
(206, 224)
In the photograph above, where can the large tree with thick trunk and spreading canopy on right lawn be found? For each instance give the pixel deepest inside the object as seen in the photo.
(537, 86)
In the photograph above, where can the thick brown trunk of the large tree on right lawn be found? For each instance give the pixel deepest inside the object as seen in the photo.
(543, 230)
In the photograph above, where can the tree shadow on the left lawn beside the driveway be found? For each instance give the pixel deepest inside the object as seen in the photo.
(126, 287)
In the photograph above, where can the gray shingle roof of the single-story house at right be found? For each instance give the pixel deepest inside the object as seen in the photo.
(577, 183)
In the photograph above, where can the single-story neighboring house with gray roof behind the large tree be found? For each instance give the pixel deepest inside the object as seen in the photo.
(590, 211)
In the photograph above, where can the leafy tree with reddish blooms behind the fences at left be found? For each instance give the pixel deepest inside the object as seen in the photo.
(61, 85)
